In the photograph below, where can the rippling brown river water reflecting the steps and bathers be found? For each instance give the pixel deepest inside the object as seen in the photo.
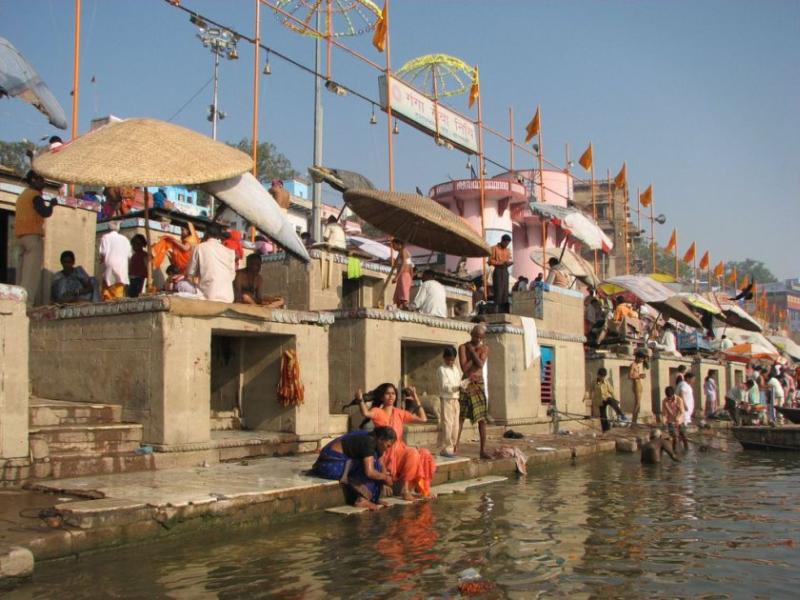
(719, 524)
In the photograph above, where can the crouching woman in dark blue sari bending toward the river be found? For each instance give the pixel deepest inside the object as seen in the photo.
(352, 459)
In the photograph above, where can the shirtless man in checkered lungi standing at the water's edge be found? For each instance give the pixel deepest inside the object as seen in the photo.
(472, 399)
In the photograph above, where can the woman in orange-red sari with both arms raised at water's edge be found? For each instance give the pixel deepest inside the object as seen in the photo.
(413, 467)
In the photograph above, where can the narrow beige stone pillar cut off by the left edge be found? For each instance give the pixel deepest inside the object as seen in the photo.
(13, 373)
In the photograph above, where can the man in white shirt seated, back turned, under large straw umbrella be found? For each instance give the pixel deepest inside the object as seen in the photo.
(214, 266)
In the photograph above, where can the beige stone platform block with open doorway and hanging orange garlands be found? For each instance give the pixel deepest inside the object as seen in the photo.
(153, 357)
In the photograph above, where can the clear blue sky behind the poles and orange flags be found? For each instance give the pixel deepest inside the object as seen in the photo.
(700, 97)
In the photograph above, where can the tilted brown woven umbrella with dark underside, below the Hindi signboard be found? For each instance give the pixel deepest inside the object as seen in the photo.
(416, 220)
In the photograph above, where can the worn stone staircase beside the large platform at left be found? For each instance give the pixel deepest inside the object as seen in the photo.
(74, 439)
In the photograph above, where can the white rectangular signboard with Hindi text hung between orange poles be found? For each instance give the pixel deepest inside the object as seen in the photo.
(416, 109)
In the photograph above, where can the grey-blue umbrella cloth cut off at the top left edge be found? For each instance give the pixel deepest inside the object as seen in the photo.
(19, 79)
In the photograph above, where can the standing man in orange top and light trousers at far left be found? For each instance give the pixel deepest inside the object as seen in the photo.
(32, 209)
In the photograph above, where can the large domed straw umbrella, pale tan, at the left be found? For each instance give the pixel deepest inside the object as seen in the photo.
(142, 152)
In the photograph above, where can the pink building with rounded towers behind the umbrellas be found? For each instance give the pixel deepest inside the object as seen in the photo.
(506, 211)
